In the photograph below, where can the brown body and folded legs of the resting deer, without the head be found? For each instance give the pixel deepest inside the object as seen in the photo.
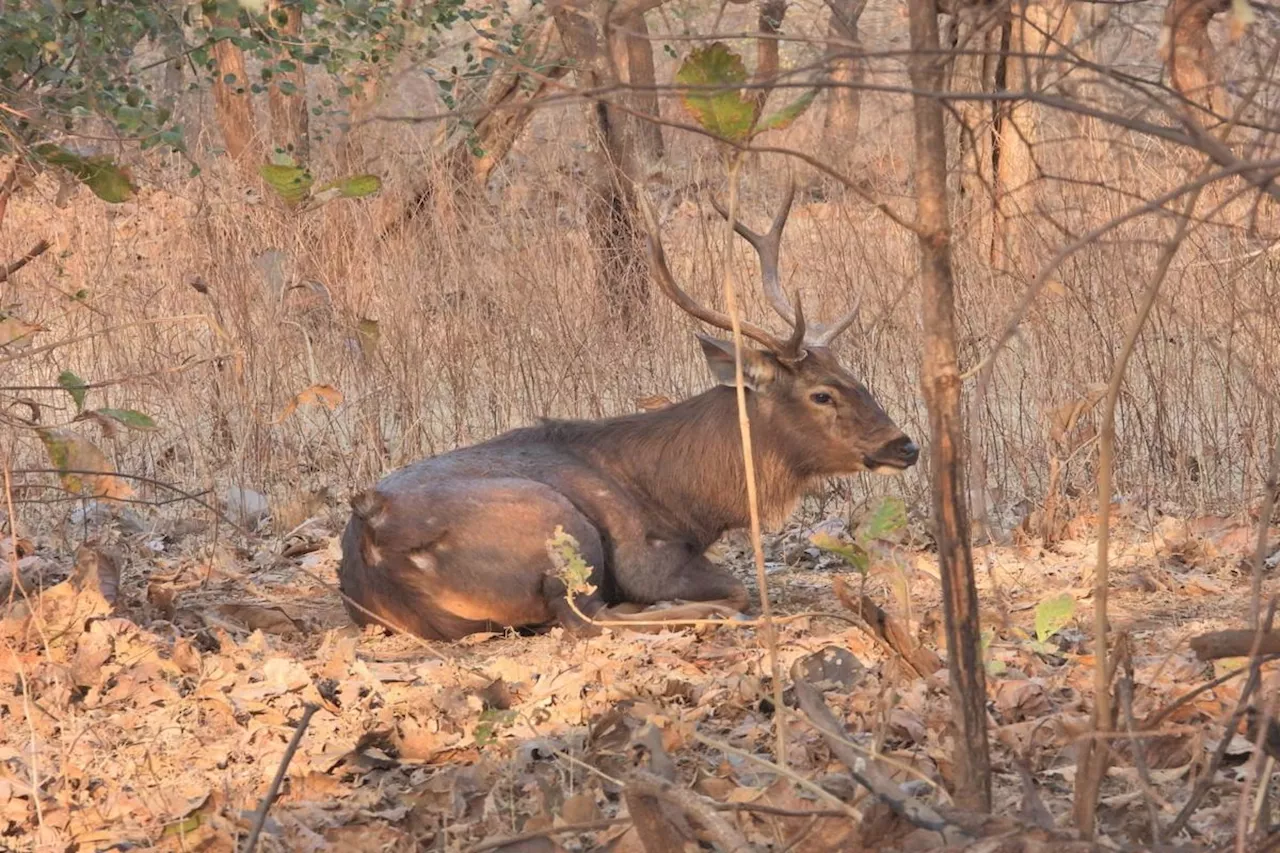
(458, 545)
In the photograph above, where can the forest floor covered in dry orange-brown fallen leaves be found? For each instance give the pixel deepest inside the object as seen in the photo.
(152, 700)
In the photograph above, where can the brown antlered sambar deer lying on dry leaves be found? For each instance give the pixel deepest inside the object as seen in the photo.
(458, 544)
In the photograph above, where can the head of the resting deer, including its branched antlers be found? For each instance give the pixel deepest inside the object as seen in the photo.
(804, 400)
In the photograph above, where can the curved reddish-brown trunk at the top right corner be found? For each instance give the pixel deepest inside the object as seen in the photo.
(1191, 58)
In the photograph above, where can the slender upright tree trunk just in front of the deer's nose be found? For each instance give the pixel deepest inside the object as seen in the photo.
(943, 396)
